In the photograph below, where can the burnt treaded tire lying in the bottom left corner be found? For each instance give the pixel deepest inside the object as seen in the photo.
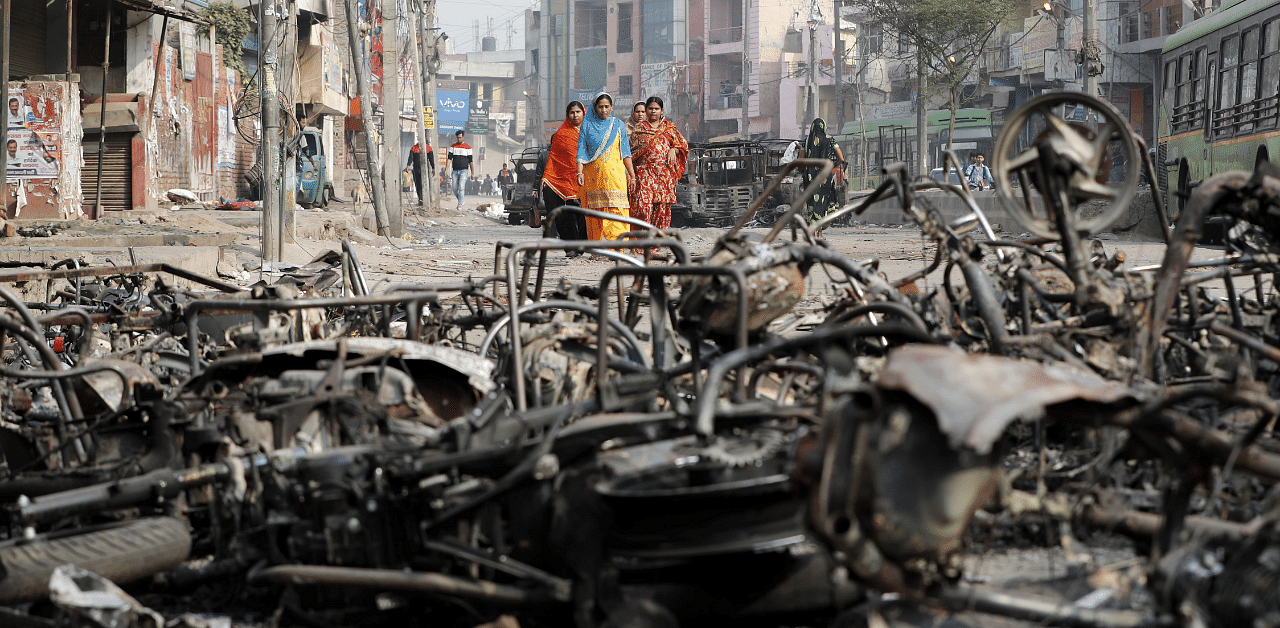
(118, 553)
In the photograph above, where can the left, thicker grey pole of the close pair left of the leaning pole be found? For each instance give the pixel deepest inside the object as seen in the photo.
(271, 109)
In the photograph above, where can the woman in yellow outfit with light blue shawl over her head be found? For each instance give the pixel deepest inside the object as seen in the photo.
(605, 171)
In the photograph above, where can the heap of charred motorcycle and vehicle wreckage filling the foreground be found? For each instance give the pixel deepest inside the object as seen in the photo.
(650, 450)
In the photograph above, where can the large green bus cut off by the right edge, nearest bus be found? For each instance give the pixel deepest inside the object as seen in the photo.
(1219, 107)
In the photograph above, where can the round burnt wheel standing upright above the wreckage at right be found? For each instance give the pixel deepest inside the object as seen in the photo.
(1100, 152)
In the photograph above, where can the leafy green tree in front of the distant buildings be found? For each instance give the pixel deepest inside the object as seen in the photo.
(948, 39)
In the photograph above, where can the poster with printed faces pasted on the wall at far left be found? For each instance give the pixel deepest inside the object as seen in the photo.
(35, 139)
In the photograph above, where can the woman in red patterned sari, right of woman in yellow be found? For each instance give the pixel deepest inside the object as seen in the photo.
(660, 164)
